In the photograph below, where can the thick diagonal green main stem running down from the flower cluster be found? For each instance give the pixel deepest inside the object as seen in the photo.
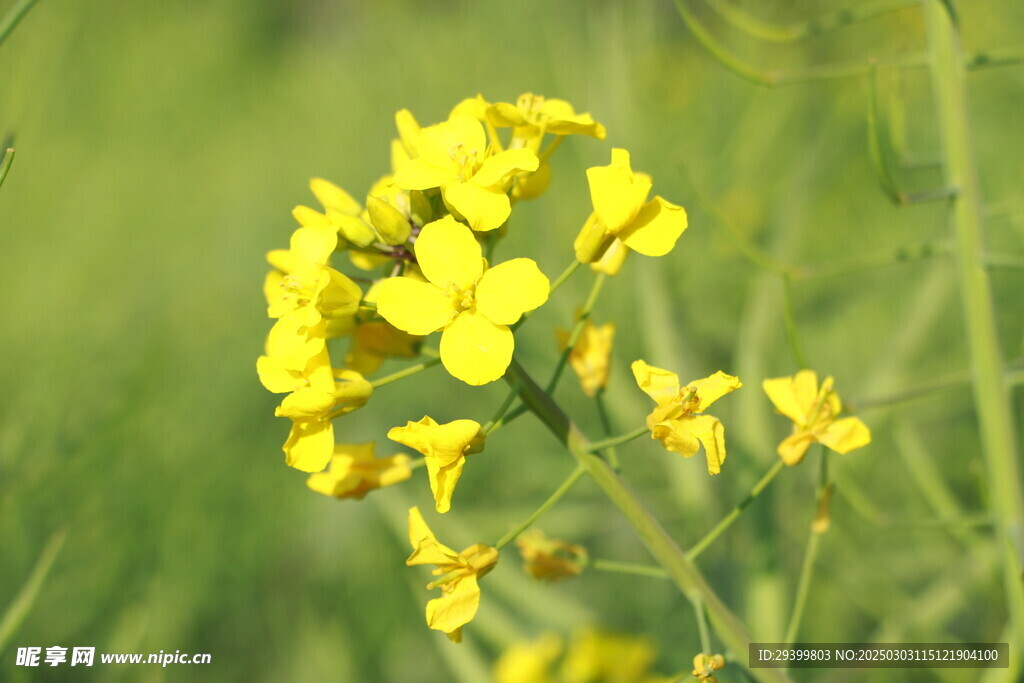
(684, 573)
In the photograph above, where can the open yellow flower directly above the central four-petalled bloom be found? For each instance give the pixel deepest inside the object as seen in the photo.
(473, 177)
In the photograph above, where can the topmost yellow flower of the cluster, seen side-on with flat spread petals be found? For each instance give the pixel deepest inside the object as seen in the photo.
(533, 116)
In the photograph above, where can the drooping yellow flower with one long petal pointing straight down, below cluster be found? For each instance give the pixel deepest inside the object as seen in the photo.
(445, 449)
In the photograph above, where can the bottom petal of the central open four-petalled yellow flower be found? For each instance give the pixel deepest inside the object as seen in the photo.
(476, 351)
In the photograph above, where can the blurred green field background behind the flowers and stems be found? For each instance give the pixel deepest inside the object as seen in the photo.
(160, 150)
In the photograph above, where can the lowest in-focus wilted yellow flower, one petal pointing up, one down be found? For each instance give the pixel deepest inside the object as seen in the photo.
(459, 574)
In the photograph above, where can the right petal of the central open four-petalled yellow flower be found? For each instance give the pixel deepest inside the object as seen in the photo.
(511, 289)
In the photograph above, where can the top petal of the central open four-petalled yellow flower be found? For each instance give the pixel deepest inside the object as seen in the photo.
(449, 254)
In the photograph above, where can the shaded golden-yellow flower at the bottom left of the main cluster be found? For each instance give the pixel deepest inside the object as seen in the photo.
(355, 472)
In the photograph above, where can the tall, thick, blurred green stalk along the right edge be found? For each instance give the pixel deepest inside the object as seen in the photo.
(992, 394)
